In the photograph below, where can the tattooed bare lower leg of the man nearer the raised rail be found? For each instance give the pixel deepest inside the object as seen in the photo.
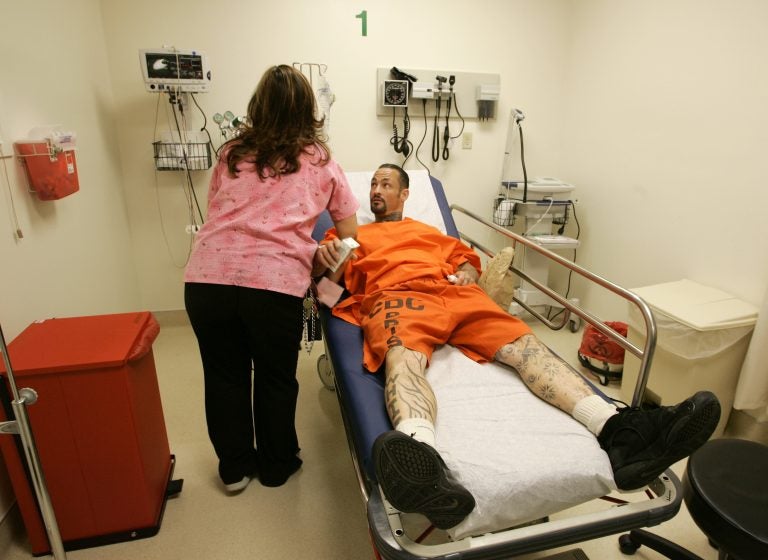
(546, 375)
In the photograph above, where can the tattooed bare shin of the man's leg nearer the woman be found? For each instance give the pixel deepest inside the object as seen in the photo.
(407, 392)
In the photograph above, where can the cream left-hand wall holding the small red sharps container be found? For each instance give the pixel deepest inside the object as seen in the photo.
(75, 256)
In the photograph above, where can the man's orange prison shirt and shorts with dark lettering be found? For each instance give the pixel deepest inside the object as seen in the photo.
(400, 295)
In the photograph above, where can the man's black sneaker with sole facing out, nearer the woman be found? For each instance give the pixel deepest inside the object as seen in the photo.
(414, 479)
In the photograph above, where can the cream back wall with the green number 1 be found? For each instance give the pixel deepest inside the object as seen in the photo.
(243, 38)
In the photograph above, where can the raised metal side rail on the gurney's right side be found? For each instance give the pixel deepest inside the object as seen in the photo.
(645, 355)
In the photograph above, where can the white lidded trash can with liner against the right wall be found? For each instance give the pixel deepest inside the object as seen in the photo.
(702, 338)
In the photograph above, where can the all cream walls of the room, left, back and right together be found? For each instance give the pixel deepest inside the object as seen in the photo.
(655, 110)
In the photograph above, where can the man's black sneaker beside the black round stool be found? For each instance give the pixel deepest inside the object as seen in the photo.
(642, 444)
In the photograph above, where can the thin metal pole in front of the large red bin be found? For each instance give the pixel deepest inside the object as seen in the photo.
(21, 426)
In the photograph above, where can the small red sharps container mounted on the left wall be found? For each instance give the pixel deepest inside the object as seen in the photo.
(51, 174)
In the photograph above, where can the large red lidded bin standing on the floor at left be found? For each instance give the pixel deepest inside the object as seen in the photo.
(98, 425)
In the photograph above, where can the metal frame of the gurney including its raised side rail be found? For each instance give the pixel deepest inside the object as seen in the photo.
(392, 542)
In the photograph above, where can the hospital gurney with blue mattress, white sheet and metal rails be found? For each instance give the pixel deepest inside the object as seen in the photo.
(528, 464)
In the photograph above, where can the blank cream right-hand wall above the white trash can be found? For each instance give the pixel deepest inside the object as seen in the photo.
(665, 128)
